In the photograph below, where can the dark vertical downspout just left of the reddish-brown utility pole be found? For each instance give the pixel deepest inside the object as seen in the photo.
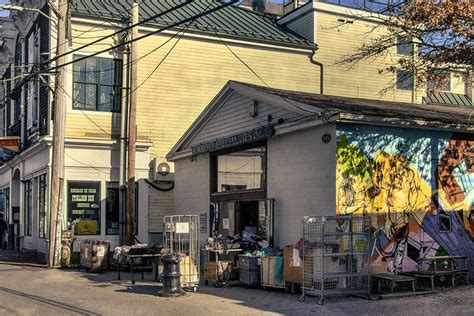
(123, 144)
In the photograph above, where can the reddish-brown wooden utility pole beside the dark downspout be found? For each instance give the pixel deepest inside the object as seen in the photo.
(132, 131)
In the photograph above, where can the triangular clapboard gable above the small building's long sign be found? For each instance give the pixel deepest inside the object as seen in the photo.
(233, 118)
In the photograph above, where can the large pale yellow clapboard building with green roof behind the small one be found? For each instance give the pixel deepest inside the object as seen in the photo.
(180, 70)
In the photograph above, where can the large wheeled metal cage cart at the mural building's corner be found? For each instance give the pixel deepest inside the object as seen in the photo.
(335, 256)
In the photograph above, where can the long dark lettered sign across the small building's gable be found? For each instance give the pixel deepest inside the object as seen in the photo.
(247, 137)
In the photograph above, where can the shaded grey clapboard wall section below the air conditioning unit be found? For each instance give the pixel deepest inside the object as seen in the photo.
(161, 203)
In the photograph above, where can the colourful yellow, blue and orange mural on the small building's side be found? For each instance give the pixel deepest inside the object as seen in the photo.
(418, 187)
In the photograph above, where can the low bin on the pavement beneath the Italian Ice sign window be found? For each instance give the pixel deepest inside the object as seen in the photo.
(95, 255)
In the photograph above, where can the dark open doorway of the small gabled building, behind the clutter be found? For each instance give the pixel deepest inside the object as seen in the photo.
(249, 216)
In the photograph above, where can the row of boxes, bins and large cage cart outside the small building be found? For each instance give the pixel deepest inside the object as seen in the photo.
(331, 258)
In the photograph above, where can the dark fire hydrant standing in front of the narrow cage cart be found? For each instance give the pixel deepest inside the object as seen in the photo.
(171, 276)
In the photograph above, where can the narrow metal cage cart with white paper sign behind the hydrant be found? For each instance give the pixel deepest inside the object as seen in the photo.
(182, 237)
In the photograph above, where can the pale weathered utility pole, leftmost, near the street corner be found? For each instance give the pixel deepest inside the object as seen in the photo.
(57, 167)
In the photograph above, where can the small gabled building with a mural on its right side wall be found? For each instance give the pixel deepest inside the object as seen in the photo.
(408, 166)
